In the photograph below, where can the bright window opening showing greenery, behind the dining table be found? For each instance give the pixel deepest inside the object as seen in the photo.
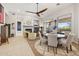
(66, 26)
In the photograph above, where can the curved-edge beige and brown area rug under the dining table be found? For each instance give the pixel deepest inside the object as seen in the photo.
(42, 49)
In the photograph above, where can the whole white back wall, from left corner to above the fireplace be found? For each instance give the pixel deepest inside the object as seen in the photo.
(25, 19)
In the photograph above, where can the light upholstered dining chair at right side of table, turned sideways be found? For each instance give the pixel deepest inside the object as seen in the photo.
(67, 42)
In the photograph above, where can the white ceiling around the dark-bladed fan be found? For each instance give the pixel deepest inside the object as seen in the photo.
(22, 7)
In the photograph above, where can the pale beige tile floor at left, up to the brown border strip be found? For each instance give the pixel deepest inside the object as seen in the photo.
(18, 46)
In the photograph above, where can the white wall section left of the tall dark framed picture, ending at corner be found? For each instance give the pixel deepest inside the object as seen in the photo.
(9, 19)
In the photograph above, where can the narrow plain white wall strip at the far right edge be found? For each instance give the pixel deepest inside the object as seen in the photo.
(76, 20)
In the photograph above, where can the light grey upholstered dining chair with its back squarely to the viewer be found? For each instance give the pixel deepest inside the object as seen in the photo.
(52, 41)
